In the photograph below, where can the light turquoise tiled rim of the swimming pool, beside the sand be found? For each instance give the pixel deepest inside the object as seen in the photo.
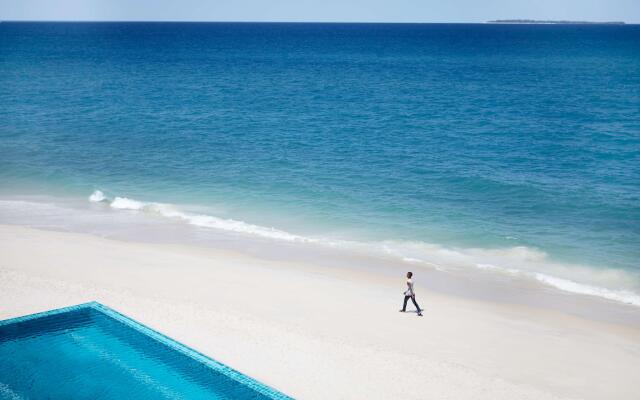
(171, 343)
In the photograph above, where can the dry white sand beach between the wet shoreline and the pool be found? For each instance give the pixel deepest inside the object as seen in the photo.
(319, 332)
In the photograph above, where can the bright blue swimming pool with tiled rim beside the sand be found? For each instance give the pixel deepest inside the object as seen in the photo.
(90, 351)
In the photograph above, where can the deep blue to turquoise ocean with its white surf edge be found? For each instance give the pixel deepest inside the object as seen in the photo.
(506, 149)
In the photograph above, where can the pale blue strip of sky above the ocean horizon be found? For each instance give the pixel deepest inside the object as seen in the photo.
(319, 10)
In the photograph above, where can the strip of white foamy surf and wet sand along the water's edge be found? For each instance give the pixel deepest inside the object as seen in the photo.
(516, 276)
